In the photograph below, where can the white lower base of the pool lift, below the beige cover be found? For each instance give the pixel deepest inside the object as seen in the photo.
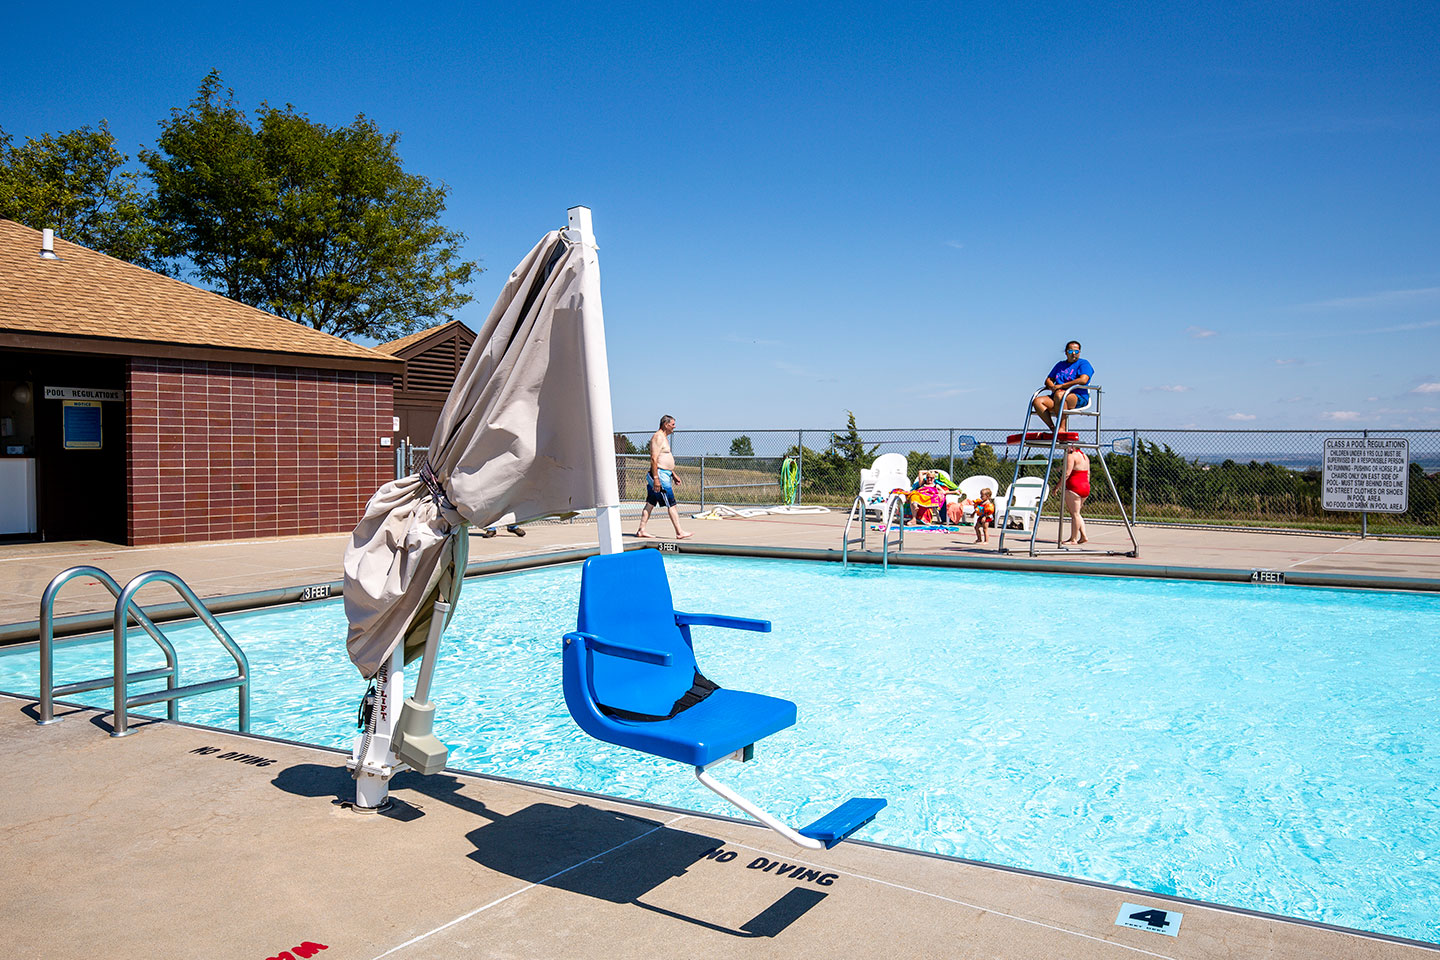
(392, 742)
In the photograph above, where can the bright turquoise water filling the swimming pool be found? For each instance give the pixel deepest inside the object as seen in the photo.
(1265, 748)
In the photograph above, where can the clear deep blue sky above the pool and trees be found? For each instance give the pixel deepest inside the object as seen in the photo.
(899, 211)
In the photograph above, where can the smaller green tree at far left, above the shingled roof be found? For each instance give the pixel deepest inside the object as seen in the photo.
(74, 185)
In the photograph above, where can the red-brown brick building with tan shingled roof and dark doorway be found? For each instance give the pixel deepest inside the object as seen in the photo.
(139, 409)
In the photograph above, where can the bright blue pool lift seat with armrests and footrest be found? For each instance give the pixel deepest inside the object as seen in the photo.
(631, 680)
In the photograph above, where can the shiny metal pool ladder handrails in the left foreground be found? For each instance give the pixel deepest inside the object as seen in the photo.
(122, 679)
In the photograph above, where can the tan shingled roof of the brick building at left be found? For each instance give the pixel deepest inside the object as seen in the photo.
(86, 296)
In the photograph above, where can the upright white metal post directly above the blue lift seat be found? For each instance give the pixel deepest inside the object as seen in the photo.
(598, 386)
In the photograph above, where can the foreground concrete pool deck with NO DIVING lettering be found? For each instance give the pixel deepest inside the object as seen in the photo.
(192, 843)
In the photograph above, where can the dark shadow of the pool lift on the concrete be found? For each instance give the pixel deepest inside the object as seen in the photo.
(582, 850)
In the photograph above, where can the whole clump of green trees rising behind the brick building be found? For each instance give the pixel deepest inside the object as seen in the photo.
(316, 224)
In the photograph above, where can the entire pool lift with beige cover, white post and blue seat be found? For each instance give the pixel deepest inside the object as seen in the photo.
(630, 673)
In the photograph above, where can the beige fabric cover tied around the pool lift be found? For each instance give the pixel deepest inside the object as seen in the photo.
(510, 445)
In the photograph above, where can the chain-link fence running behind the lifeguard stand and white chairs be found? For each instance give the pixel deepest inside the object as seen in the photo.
(1255, 480)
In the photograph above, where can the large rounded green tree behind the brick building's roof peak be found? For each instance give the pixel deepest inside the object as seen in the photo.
(315, 224)
